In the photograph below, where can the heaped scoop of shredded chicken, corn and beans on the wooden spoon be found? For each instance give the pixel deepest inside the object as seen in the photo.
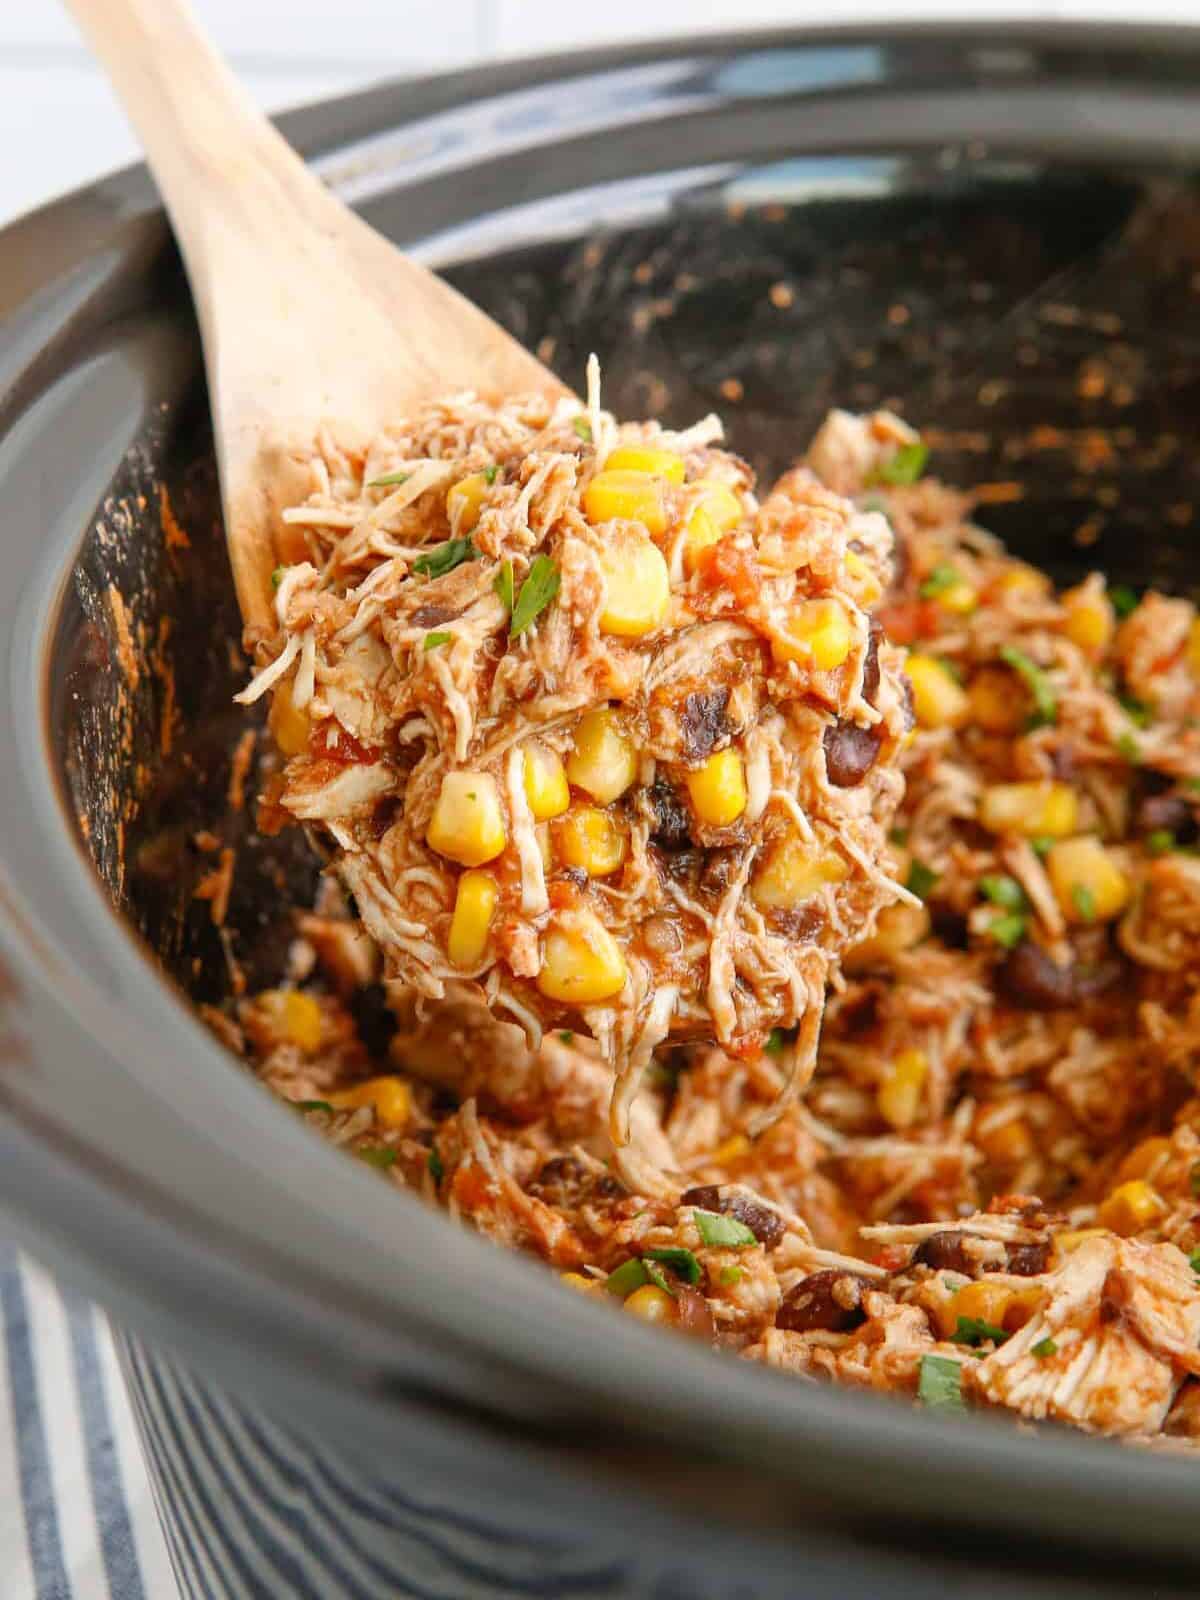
(591, 726)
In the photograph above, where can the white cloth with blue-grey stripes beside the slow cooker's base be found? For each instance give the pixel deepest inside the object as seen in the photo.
(78, 1521)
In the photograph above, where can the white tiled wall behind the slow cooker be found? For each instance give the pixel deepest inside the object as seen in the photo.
(60, 124)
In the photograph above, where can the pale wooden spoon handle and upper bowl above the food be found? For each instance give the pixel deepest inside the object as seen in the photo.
(310, 319)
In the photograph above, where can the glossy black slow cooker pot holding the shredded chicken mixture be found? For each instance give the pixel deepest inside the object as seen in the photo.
(340, 1391)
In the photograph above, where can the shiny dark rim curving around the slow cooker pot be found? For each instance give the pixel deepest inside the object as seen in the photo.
(332, 1302)
